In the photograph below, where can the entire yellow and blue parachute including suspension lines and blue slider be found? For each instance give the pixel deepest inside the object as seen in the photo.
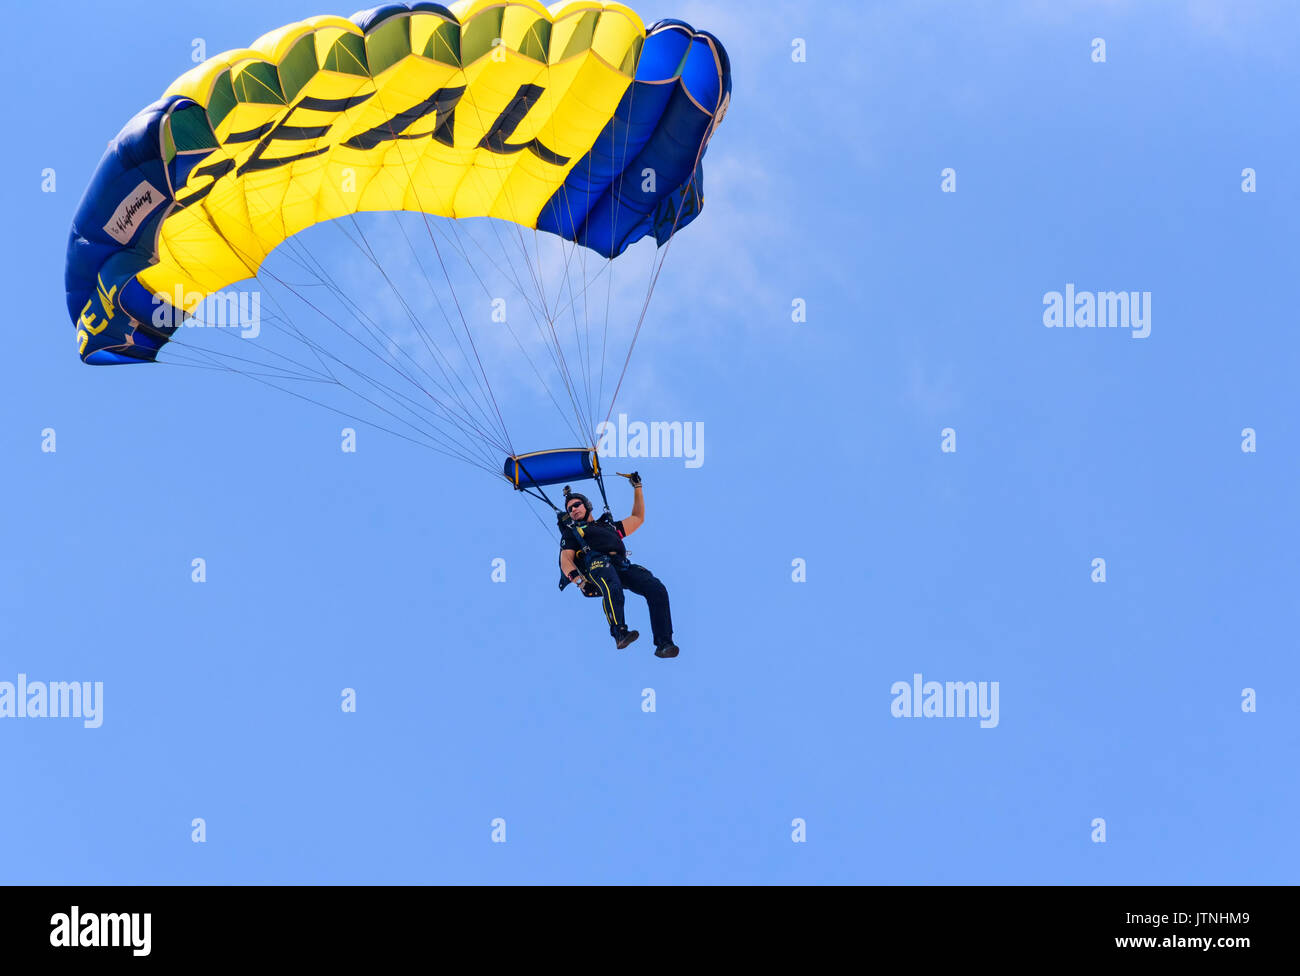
(410, 164)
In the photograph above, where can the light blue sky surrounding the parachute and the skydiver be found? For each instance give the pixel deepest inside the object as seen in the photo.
(482, 700)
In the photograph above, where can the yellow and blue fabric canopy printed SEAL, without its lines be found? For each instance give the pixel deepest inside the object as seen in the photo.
(577, 122)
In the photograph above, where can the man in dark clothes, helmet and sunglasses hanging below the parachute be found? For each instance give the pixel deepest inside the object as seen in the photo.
(608, 572)
